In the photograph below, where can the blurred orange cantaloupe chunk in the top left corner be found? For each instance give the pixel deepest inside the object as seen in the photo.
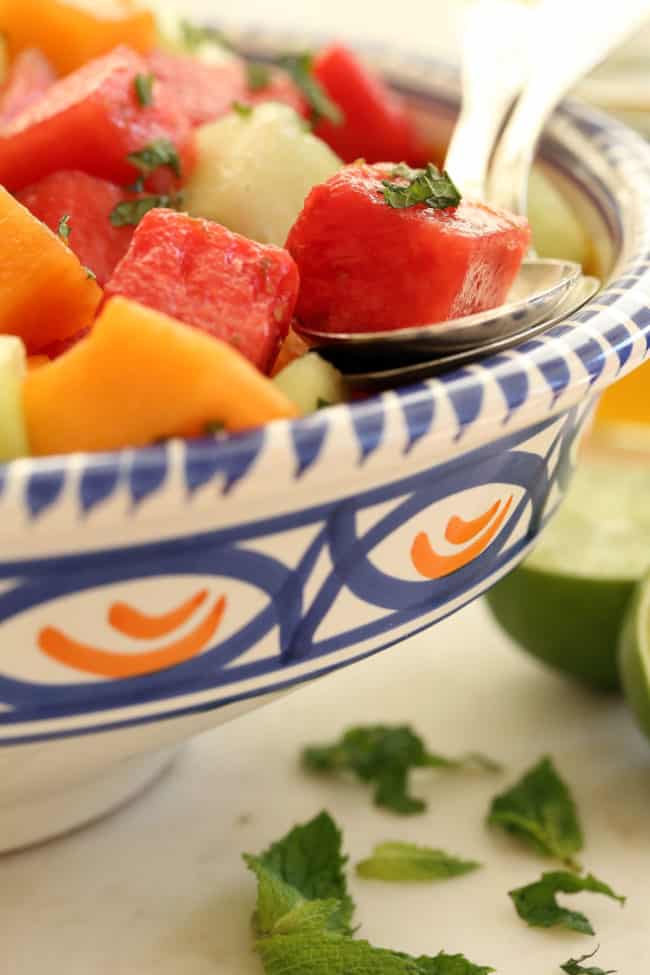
(72, 33)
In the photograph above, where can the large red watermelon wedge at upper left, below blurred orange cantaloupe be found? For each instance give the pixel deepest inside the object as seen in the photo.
(91, 120)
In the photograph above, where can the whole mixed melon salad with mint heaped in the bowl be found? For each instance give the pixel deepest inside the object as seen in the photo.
(173, 212)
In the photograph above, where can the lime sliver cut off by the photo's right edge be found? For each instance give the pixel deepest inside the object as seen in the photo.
(634, 655)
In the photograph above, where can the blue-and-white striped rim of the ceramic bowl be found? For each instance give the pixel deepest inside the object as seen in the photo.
(605, 339)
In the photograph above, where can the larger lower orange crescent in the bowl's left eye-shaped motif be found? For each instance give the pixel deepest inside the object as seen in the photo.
(109, 663)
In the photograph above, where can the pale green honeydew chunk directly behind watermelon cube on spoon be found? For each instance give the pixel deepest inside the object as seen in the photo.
(254, 171)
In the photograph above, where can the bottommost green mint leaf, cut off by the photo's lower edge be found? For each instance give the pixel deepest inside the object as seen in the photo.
(333, 954)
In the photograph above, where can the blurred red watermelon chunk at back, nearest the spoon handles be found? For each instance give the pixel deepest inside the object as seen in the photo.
(376, 123)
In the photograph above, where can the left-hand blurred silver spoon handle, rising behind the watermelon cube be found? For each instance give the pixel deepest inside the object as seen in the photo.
(494, 63)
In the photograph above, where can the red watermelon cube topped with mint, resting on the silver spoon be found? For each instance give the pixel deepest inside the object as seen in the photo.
(365, 266)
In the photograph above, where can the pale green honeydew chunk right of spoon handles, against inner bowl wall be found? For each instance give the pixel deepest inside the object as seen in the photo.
(557, 231)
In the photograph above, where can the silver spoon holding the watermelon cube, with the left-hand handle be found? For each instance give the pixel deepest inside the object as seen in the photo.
(495, 65)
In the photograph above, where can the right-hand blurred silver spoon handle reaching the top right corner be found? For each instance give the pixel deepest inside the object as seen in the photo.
(571, 38)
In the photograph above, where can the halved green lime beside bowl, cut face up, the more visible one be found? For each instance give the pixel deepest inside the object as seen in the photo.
(566, 603)
